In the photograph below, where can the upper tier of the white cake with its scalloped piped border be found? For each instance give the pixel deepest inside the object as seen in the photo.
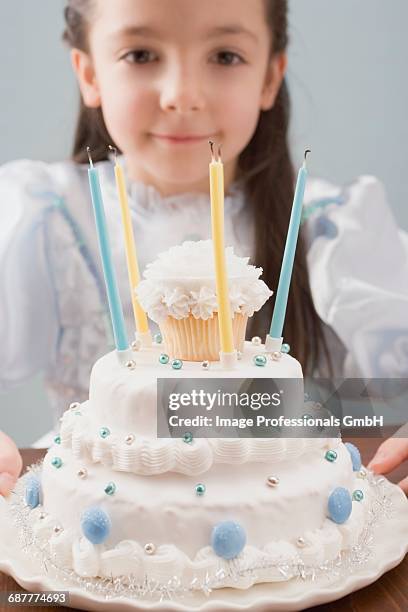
(118, 425)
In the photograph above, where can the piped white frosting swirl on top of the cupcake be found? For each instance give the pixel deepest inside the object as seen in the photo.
(182, 282)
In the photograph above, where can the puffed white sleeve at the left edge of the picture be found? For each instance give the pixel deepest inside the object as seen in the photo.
(28, 323)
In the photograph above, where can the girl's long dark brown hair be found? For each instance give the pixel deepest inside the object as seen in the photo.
(266, 173)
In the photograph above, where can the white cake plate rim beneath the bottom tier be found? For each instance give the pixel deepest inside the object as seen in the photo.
(390, 544)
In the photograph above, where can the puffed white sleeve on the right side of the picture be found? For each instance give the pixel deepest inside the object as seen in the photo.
(358, 265)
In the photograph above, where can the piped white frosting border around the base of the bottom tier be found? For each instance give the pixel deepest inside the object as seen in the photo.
(129, 557)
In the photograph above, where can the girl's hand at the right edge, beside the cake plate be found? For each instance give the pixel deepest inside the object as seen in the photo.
(390, 454)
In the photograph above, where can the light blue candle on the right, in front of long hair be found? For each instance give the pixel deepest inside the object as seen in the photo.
(282, 293)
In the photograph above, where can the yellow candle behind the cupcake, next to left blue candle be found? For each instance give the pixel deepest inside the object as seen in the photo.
(142, 326)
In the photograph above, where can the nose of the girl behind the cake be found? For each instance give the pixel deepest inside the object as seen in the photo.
(181, 92)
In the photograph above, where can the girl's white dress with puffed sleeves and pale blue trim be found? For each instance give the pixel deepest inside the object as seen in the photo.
(53, 309)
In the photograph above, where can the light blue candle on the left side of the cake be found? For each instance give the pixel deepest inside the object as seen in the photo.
(115, 305)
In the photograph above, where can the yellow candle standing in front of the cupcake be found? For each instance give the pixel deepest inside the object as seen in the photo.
(217, 222)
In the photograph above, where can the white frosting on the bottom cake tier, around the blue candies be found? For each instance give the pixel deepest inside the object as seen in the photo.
(179, 523)
